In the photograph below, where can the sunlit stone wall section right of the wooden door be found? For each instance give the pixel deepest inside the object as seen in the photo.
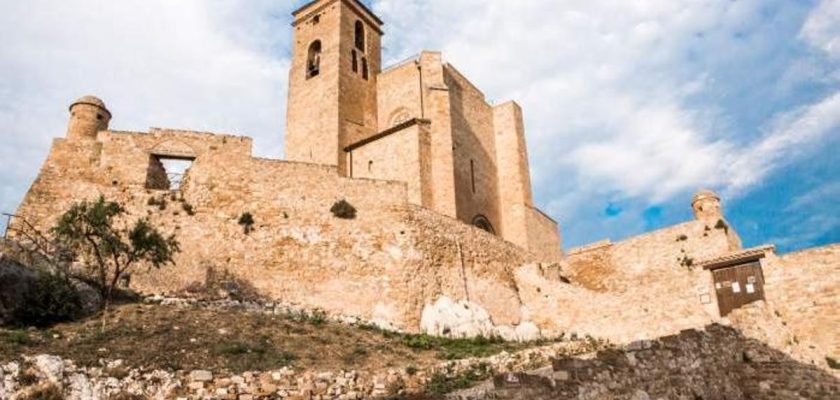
(804, 288)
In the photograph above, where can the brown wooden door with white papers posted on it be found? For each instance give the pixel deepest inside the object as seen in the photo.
(738, 285)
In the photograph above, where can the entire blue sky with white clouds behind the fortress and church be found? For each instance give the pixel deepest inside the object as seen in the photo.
(630, 106)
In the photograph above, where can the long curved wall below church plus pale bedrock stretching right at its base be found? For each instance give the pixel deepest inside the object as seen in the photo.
(400, 263)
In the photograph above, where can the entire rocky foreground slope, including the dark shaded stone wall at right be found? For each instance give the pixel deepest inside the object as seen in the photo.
(187, 349)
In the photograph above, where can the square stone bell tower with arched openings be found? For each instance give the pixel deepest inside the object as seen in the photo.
(336, 58)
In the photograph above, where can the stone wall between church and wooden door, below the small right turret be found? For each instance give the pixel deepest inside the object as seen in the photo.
(653, 271)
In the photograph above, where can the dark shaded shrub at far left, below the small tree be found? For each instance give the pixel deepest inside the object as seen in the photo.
(50, 300)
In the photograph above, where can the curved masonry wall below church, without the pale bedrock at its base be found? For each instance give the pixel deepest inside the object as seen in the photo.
(386, 265)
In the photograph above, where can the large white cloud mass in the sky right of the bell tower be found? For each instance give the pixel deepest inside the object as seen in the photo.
(609, 88)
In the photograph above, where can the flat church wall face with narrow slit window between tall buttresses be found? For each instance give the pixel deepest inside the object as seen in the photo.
(474, 151)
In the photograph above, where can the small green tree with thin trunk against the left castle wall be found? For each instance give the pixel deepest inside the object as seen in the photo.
(96, 233)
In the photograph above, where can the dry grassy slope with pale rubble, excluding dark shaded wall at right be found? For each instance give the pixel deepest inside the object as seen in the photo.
(177, 348)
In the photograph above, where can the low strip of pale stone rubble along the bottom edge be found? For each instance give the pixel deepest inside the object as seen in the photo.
(78, 383)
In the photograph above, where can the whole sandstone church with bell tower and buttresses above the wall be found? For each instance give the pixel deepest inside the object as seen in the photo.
(419, 121)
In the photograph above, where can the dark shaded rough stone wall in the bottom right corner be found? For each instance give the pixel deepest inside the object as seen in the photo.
(718, 363)
